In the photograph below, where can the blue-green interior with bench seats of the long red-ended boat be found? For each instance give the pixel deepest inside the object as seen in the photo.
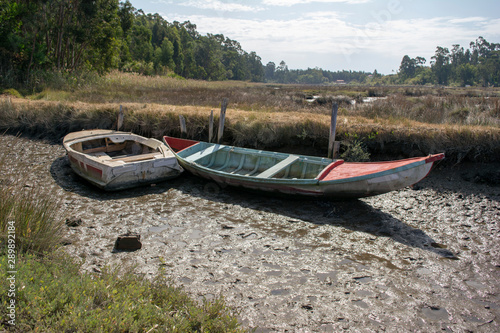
(258, 164)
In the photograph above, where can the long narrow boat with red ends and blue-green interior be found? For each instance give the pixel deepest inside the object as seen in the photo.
(297, 174)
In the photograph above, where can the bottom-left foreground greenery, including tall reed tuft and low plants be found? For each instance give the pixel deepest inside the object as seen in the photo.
(51, 294)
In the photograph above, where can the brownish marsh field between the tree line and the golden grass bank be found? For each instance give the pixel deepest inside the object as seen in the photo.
(424, 104)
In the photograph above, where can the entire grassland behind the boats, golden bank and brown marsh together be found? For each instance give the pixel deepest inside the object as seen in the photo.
(397, 121)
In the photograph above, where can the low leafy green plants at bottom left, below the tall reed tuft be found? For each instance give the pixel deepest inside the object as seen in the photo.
(53, 296)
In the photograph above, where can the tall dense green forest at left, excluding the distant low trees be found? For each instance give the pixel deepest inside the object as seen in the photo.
(68, 36)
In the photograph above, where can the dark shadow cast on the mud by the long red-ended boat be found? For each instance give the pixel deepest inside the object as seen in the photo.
(352, 215)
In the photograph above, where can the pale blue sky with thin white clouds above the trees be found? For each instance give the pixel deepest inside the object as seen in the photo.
(358, 35)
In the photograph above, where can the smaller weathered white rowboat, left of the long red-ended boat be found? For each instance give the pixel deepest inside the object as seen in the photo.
(115, 160)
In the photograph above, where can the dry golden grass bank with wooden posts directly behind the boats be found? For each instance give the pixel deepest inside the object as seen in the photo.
(397, 137)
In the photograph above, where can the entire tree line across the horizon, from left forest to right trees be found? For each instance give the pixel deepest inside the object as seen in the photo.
(74, 36)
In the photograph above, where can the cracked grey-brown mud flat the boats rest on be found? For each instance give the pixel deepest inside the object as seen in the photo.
(421, 259)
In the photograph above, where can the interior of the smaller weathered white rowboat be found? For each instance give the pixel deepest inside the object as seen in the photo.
(125, 150)
